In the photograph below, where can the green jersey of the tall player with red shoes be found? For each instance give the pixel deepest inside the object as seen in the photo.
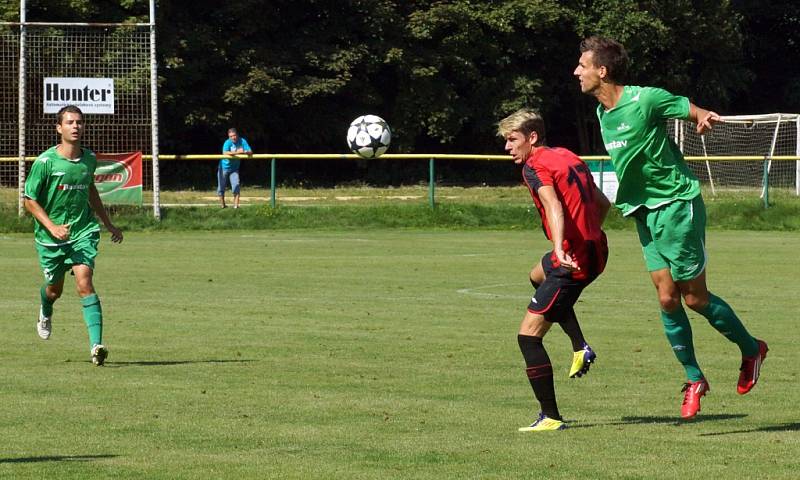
(650, 168)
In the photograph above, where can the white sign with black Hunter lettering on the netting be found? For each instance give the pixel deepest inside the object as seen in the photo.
(91, 95)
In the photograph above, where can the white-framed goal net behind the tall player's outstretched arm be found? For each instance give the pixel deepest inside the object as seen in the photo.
(737, 152)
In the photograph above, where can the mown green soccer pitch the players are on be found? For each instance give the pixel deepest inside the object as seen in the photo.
(381, 354)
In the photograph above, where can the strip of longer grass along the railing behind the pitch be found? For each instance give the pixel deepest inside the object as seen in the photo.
(367, 208)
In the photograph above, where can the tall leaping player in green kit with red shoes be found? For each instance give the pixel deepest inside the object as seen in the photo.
(658, 190)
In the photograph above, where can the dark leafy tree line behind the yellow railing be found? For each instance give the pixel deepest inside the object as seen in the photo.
(292, 74)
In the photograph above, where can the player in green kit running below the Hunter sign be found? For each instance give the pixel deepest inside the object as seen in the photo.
(61, 195)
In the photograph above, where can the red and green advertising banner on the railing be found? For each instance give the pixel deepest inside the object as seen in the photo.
(118, 178)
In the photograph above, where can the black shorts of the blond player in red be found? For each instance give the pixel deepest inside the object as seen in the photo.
(558, 293)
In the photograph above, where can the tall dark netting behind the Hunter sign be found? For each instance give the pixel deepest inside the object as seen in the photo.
(117, 51)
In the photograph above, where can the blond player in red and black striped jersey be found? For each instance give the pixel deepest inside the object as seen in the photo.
(572, 209)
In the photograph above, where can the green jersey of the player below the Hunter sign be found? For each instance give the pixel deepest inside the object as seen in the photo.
(61, 187)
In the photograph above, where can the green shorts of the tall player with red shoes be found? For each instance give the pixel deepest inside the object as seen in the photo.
(674, 236)
